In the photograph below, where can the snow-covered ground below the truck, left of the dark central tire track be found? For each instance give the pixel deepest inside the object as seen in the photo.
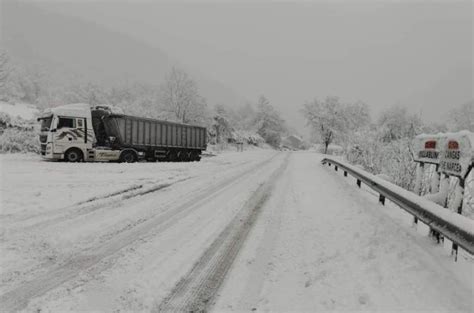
(77, 216)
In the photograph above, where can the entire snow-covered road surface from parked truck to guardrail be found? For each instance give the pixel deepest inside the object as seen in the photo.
(258, 230)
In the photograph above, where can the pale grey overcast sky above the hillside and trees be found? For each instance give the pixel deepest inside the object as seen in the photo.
(416, 53)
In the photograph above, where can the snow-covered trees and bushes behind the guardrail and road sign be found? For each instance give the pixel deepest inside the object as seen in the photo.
(383, 145)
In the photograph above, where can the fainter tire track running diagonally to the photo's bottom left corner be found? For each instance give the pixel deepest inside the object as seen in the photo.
(98, 258)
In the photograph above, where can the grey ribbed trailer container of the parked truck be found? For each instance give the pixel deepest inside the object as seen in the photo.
(153, 139)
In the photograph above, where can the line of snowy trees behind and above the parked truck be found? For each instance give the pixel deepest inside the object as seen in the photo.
(177, 98)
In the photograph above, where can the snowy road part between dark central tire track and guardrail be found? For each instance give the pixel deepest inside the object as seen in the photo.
(322, 245)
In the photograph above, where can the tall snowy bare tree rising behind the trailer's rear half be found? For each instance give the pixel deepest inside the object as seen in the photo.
(180, 97)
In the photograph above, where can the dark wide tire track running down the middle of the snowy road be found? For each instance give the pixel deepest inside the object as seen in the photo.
(195, 292)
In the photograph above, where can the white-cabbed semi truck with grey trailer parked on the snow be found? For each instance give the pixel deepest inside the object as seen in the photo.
(79, 132)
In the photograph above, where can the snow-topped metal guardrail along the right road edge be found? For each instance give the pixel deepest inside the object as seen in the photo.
(459, 236)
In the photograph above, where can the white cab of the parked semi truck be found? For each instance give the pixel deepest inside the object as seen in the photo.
(67, 133)
